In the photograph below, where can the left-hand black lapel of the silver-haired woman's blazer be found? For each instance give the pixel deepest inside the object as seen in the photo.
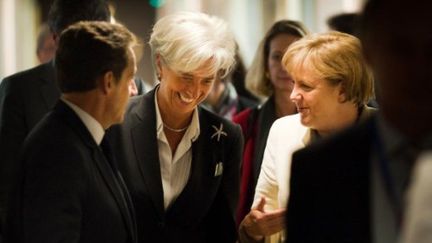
(144, 140)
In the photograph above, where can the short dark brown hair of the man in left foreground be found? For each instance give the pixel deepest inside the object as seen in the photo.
(87, 50)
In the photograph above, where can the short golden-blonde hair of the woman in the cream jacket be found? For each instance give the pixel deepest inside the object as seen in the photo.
(335, 57)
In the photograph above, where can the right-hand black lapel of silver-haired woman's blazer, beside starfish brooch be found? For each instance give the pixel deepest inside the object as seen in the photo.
(202, 186)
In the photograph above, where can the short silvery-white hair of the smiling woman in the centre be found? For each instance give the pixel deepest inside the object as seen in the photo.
(187, 40)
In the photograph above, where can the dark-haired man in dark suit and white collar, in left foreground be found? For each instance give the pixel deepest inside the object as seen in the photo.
(69, 188)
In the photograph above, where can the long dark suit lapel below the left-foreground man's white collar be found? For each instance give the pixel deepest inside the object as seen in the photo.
(100, 161)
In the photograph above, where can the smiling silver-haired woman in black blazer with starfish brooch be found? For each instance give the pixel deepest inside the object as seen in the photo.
(181, 162)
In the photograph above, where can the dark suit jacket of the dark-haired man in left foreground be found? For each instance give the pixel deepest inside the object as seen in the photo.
(67, 191)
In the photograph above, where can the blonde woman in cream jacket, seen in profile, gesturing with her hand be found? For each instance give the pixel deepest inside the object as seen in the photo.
(331, 87)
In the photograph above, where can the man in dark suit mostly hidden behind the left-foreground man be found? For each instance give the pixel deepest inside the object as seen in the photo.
(27, 96)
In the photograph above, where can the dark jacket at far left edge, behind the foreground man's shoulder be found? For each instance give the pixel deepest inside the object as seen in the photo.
(25, 98)
